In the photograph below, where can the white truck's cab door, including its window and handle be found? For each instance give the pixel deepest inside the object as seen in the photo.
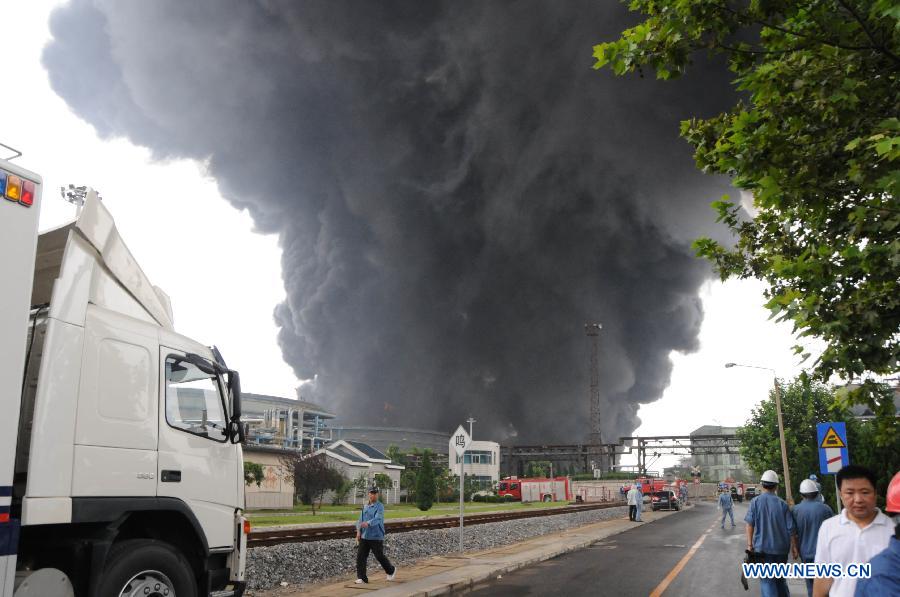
(197, 463)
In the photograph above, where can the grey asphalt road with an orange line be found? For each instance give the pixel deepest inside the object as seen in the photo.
(637, 561)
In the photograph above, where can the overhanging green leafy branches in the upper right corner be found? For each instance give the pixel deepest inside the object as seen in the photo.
(815, 139)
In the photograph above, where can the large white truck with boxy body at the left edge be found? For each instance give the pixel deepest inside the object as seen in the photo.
(121, 472)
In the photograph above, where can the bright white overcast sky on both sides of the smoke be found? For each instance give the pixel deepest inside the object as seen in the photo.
(164, 208)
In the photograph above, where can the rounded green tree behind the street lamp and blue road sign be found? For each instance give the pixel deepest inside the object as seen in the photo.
(803, 405)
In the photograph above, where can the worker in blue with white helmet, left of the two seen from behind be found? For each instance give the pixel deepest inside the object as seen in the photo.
(770, 533)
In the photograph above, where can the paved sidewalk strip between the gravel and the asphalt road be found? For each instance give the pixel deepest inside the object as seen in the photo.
(443, 574)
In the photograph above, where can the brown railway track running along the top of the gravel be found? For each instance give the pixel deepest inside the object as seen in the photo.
(344, 531)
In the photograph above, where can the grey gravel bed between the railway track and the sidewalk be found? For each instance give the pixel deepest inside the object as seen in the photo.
(316, 561)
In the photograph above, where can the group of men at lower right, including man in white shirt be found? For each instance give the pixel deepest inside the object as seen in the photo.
(811, 532)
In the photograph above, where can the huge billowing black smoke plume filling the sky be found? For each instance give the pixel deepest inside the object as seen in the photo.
(456, 192)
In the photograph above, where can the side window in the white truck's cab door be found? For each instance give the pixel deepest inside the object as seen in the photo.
(194, 400)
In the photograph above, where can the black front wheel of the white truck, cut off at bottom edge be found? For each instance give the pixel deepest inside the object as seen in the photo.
(146, 568)
